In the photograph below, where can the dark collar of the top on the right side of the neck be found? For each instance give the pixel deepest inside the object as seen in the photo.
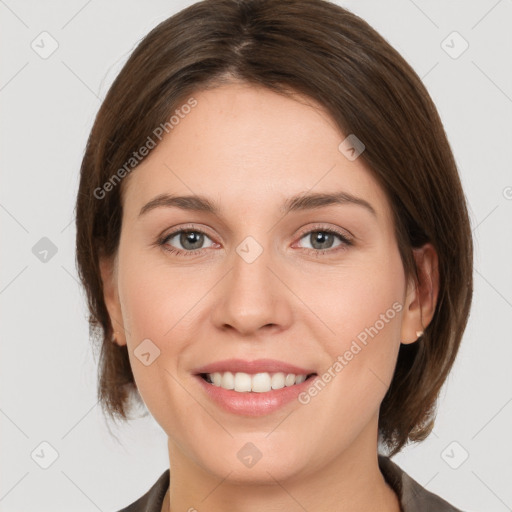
(413, 497)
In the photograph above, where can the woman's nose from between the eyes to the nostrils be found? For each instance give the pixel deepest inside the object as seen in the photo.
(252, 296)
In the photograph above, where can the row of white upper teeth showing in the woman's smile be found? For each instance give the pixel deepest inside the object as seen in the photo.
(257, 383)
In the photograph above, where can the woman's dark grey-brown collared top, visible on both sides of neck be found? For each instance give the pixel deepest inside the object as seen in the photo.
(413, 497)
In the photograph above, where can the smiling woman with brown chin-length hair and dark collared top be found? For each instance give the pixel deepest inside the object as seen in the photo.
(277, 254)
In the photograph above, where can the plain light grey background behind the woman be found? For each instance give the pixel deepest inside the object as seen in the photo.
(48, 373)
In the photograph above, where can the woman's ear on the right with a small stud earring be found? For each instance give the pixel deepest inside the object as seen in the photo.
(421, 296)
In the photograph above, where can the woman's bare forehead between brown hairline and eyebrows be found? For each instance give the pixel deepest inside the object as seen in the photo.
(248, 147)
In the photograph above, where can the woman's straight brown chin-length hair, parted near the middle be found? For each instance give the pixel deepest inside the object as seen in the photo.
(321, 50)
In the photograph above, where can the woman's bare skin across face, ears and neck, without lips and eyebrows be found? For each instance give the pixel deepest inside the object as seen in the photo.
(249, 149)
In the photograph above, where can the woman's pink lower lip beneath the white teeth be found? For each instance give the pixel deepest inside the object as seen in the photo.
(251, 403)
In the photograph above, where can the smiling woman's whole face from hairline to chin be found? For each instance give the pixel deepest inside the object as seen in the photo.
(320, 289)
